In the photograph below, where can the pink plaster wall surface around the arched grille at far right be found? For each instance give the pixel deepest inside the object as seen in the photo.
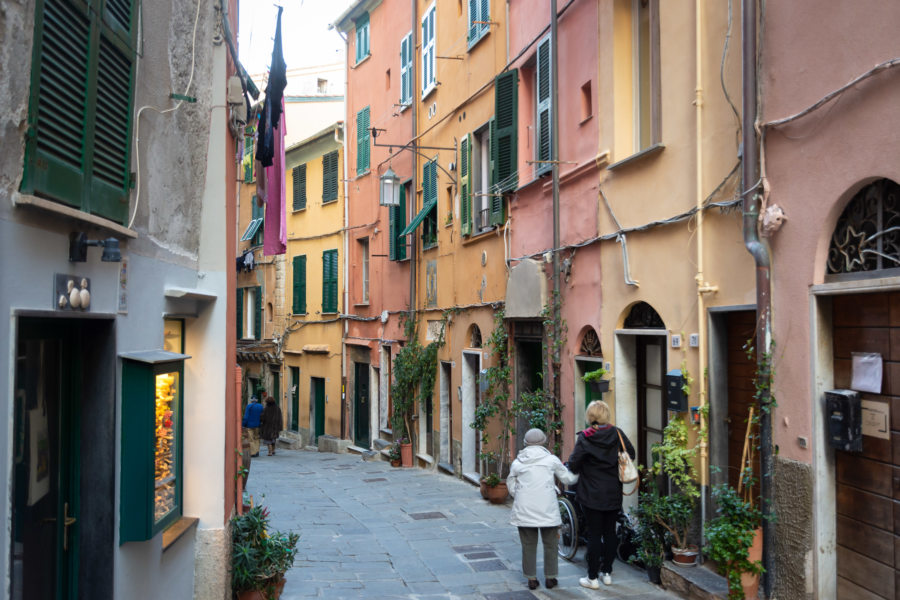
(808, 178)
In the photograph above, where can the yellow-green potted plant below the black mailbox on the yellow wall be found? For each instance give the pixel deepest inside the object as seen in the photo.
(674, 459)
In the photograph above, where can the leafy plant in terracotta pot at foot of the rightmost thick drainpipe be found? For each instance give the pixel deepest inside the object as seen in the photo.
(730, 537)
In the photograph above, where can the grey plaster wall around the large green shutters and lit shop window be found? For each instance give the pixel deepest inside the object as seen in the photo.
(178, 222)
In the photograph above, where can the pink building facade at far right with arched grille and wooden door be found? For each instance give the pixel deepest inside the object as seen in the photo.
(834, 170)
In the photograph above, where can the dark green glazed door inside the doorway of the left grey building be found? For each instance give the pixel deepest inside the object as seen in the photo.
(46, 463)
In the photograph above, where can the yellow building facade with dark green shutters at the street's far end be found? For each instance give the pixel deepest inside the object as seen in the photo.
(314, 289)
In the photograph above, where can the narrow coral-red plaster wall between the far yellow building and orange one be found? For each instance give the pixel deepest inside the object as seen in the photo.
(375, 82)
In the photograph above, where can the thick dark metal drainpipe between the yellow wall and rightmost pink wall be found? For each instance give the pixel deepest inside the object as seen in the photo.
(760, 253)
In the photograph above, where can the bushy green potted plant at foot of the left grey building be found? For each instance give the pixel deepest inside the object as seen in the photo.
(259, 558)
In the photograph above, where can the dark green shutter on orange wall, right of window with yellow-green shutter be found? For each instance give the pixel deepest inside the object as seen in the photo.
(504, 147)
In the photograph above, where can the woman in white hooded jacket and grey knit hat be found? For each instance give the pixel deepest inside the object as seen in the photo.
(535, 508)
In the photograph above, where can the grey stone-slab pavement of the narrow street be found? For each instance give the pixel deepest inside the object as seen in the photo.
(369, 530)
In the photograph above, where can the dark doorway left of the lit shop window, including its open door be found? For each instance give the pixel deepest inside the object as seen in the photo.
(61, 533)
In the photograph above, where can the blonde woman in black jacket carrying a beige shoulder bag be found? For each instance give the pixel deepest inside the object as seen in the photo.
(599, 491)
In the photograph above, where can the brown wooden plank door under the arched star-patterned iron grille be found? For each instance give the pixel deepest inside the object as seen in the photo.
(868, 482)
